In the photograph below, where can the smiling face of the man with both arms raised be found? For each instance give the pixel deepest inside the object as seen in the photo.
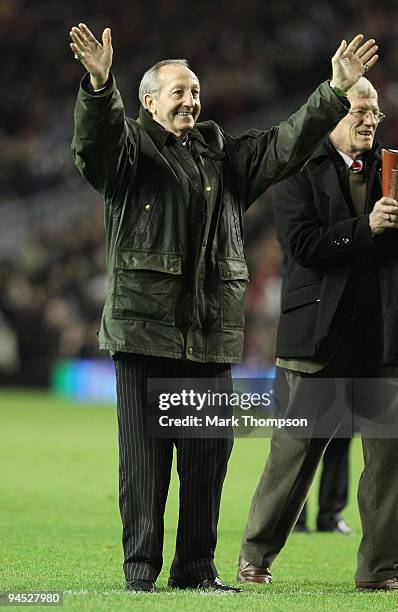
(177, 104)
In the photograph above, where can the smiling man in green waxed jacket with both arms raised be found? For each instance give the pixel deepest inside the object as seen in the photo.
(175, 192)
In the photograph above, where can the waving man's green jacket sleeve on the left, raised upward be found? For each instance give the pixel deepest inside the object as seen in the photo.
(101, 145)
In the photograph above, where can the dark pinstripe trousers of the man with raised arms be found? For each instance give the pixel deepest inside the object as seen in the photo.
(145, 469)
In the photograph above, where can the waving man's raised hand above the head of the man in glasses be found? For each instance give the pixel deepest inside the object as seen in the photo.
(350, 62)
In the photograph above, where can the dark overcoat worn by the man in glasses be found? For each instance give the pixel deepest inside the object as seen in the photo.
(326, 244)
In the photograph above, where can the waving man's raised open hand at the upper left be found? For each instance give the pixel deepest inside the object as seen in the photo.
(96, 58)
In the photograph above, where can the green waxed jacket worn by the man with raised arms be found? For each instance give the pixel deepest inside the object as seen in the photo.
(177, 273)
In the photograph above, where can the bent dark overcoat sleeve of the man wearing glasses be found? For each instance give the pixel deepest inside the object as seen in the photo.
(307, 236)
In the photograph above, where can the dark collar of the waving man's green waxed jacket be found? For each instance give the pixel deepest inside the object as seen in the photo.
(161, 136)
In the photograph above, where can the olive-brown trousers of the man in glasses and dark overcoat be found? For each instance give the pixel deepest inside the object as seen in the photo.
(293, 461)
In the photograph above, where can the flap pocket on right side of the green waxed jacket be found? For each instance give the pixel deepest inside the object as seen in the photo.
(233, 276)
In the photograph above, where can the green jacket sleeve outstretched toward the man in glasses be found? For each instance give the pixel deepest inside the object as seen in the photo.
(265, 157)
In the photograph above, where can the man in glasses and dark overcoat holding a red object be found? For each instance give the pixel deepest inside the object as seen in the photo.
(338, 327)
